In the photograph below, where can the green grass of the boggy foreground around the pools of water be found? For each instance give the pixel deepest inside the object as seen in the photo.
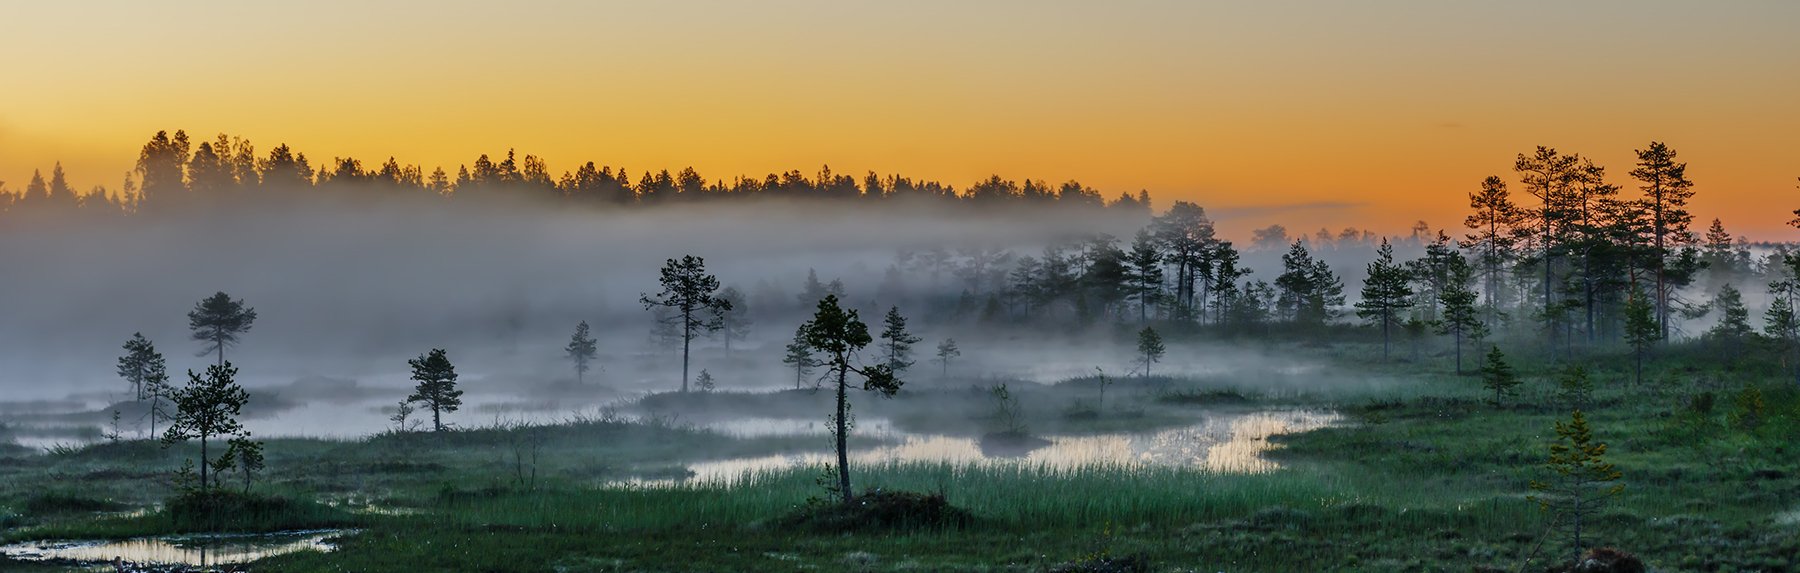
(1425, 477)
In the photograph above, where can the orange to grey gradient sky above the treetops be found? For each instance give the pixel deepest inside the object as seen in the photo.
(1308, 114)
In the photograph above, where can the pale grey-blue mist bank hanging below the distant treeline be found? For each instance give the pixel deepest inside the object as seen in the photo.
(352, 291)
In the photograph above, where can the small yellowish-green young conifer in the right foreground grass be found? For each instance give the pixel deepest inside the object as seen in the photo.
(1581, 480)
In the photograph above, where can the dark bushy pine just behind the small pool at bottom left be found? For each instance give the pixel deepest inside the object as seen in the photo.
(208, 408)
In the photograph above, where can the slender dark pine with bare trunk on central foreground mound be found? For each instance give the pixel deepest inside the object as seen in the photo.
(838, 334)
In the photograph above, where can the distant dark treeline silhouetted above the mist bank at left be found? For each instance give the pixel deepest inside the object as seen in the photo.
(172, 170)
